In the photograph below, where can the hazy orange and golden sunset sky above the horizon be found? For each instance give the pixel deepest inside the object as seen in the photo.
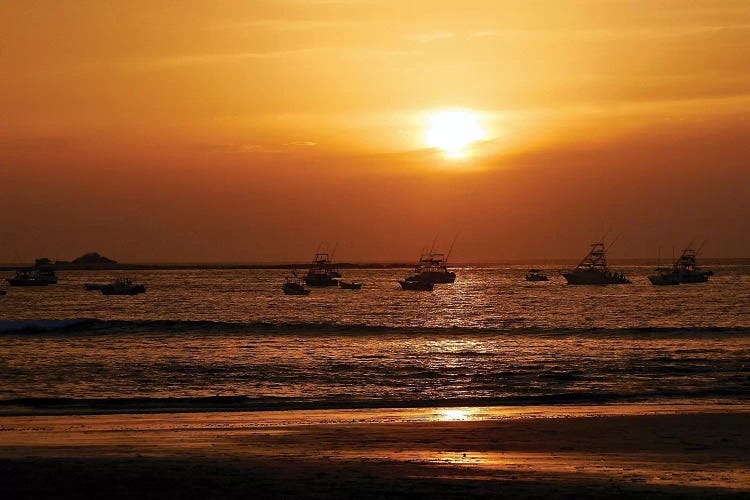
(250, 131)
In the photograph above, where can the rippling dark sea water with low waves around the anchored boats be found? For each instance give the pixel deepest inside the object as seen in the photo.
(218, 338)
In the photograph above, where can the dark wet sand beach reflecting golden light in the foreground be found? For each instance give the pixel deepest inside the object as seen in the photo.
(622, 451)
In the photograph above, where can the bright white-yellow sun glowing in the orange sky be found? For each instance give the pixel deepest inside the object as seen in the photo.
(453, 131)
